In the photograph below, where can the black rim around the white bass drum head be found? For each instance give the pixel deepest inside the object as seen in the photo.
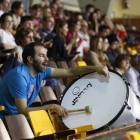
(114, 119)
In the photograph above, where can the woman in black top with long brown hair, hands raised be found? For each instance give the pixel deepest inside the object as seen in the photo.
(58, 51)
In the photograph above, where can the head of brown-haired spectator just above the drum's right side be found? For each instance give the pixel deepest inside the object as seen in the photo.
(122, 63)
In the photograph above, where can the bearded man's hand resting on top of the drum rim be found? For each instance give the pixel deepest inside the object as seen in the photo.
(102, 70)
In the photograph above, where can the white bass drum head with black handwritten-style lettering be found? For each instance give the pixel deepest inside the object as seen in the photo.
(105, 95)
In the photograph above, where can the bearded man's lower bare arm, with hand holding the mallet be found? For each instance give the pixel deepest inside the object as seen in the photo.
(21, 104)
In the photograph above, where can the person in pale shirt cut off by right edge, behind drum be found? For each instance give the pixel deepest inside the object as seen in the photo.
(132, 75)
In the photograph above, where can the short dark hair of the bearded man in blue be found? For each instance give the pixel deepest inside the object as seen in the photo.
(30, 51)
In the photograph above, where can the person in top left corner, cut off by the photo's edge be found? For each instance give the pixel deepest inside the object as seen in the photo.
(5, 6)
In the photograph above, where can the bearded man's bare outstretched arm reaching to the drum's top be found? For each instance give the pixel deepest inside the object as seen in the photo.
(102, 70)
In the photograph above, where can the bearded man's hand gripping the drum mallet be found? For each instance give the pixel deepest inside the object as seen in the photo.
(61, 111)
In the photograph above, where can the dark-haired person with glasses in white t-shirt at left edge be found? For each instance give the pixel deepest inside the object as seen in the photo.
(7, 41)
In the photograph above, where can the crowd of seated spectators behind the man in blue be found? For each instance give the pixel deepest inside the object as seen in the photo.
(66, 35)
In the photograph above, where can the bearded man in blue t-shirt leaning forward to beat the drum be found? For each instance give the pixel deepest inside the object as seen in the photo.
(20, 86)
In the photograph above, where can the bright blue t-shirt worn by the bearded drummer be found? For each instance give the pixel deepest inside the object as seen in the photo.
(18, 83)
